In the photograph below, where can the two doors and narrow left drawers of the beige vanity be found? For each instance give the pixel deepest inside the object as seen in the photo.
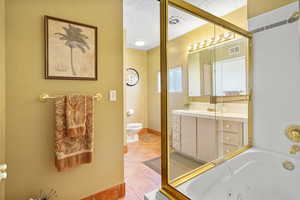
(195, 137)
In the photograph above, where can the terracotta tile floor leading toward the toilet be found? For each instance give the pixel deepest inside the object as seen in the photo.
(139, 178)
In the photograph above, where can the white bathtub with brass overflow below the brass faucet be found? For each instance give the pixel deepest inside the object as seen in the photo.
(253, 175)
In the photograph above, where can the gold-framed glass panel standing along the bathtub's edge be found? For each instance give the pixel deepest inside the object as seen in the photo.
(209, 121)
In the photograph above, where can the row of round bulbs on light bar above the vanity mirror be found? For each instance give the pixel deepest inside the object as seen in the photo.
(212, 41)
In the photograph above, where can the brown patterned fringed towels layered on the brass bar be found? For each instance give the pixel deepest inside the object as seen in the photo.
(74, 147)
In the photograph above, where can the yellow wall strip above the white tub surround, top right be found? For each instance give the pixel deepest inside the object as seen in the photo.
(257, 7)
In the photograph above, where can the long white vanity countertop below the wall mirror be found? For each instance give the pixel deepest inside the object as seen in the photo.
(212, 115)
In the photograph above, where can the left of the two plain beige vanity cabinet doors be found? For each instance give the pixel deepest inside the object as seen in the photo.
(189, 136)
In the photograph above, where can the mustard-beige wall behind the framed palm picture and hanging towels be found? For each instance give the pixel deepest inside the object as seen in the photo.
(30, 123)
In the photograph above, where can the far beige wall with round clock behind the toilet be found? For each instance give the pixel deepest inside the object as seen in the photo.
(136, 96)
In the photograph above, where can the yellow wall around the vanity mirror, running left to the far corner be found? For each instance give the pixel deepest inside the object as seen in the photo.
(178, 56)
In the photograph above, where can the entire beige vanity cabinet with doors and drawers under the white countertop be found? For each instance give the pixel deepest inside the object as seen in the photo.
(206, 139)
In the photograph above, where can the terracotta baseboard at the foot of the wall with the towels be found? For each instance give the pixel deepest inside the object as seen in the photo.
(113, 193)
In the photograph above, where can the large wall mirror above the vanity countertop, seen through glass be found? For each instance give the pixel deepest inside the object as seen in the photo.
(219, 70)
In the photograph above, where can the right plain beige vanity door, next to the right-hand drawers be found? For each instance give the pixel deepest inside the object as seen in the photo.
(207, 140)
